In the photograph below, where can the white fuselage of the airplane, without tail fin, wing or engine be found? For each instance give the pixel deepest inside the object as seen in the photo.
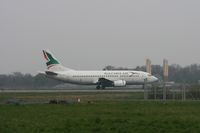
(92, 77)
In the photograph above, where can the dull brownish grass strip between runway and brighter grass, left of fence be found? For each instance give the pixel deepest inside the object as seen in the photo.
(69, 96)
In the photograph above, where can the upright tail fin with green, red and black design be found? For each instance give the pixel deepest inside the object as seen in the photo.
(52, 63)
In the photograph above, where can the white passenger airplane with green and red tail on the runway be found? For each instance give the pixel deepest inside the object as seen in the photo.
(101, 79)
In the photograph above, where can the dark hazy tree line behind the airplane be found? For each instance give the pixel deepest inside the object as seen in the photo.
(188, 74)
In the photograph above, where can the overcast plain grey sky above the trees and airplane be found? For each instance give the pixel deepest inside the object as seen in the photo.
(89, 34)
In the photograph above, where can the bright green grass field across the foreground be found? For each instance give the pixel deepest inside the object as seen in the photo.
(117, 116)
